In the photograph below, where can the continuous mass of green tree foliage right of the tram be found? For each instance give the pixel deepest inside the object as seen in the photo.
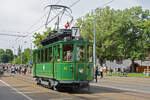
(120, 34)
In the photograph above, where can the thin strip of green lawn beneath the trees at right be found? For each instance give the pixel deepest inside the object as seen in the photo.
(128, 75)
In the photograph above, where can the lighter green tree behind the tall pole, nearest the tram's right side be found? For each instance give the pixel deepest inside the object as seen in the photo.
(106, 32)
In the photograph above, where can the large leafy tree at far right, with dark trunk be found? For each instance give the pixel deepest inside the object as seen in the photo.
(133, 39)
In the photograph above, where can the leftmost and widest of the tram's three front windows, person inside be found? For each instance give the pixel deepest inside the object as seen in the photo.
(67, 52)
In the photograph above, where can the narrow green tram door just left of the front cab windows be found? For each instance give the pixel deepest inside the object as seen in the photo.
(55, 59)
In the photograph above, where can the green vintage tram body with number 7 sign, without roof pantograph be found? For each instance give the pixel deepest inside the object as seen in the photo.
(64, 62)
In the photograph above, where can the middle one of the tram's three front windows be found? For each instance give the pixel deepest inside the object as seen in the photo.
(80, 53)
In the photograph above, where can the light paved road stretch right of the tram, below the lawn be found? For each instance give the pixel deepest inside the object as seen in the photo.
(125, 83)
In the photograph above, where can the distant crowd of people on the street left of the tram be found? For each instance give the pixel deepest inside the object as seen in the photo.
(16, 69)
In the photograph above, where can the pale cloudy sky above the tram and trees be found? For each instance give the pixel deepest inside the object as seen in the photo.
(24, 17)
